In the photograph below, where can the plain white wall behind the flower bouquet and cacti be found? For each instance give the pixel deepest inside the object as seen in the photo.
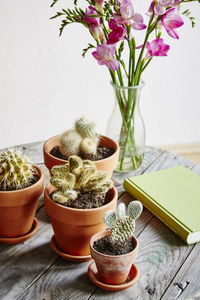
(45, 83)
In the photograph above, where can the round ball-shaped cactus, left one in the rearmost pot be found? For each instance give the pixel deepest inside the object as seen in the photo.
(70, 143)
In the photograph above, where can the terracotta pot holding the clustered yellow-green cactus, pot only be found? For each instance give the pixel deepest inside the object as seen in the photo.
(74, 227)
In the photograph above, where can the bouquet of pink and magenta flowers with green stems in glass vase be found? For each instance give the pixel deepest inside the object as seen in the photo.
(112, 24)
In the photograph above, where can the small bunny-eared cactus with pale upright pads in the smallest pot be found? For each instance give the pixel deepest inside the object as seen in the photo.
(122, 227)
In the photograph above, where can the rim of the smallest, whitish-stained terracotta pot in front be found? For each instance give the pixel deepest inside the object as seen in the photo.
(106, 232)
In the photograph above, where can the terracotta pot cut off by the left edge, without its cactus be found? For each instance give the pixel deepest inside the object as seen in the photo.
(17, 208)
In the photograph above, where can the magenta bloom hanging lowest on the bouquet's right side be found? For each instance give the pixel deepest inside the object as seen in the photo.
(157, 48)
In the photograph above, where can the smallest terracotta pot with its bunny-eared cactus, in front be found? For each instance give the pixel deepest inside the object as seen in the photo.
(114, 250)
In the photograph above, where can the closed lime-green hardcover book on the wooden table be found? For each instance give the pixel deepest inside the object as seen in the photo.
(172, 195)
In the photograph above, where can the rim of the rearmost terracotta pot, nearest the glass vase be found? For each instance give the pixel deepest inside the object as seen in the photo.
(63, 160)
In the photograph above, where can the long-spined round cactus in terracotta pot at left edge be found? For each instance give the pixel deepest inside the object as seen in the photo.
(21, 184)
